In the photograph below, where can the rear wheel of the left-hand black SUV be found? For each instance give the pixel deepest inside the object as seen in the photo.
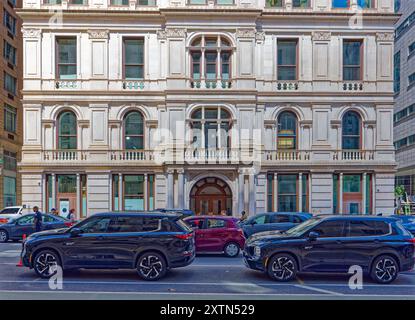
(151, 266)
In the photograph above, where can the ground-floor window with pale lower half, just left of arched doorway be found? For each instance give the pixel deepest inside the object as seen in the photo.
(133, 192)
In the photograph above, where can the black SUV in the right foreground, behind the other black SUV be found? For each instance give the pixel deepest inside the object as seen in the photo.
(380, 245)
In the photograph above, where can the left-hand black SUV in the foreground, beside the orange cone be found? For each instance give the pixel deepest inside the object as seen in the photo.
(151, 242)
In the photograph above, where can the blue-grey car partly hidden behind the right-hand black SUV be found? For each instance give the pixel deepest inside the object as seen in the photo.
(272, 221)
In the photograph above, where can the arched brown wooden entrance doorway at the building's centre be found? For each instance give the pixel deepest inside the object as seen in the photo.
(211, 196)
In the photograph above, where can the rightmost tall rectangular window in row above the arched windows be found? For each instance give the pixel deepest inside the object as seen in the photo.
(352, 63)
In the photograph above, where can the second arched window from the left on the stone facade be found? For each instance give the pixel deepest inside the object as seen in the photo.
(134, 131)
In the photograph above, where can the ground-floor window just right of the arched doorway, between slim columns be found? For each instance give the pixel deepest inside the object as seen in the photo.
(287, 193)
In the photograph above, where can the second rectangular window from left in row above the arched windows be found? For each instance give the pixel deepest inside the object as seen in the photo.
(133, 59)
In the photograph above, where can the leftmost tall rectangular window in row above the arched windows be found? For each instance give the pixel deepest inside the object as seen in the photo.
(66, 58)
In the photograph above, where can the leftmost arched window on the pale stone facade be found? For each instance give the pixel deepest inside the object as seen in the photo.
(67, 137)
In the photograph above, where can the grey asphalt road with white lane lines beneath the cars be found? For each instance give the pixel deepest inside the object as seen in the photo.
(209, 277)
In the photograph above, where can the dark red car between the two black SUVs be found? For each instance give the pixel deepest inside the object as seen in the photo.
(217, 234)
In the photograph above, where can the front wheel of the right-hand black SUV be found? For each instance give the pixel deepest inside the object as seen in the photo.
(282, 267)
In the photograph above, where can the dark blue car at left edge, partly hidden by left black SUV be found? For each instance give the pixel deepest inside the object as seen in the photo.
(14, 229)
